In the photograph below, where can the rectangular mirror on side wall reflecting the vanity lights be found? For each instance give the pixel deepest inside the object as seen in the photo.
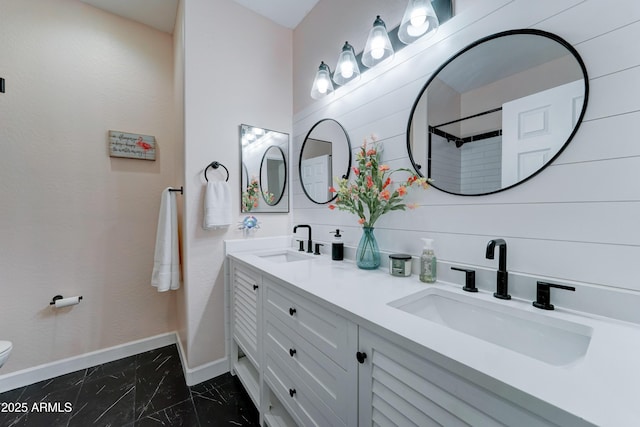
(264, 157)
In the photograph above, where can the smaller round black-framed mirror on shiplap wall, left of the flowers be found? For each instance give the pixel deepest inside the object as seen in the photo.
(325, 153)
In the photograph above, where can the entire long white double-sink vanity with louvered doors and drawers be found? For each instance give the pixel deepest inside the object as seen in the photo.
(320, 342)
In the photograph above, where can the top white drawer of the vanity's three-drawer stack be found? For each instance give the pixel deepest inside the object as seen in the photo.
(326, 330)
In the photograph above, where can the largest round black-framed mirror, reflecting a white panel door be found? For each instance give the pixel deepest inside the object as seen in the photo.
(498, 112)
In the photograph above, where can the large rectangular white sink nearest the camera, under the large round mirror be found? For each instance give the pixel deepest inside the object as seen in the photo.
(550, 340)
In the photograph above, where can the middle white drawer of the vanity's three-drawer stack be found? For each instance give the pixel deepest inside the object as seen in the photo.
(330, 383)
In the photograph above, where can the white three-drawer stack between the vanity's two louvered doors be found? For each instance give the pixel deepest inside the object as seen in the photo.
(306, 363)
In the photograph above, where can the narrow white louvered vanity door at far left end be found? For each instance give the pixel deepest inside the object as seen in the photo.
(245, 291)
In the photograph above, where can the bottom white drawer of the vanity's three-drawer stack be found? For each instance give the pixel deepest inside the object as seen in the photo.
(293, 393)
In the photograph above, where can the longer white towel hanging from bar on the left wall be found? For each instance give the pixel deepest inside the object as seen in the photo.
(166, 262)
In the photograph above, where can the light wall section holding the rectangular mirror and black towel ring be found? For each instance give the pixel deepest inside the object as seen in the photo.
(237, 70)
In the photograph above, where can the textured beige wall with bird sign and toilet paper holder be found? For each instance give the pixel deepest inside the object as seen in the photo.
(74, 221)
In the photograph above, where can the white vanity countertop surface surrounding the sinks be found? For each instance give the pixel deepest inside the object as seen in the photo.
(602, 388)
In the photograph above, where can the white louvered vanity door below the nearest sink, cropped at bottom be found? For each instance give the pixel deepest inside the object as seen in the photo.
(400, 388)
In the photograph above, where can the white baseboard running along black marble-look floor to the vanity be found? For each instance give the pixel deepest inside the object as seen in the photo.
(65, 366)
